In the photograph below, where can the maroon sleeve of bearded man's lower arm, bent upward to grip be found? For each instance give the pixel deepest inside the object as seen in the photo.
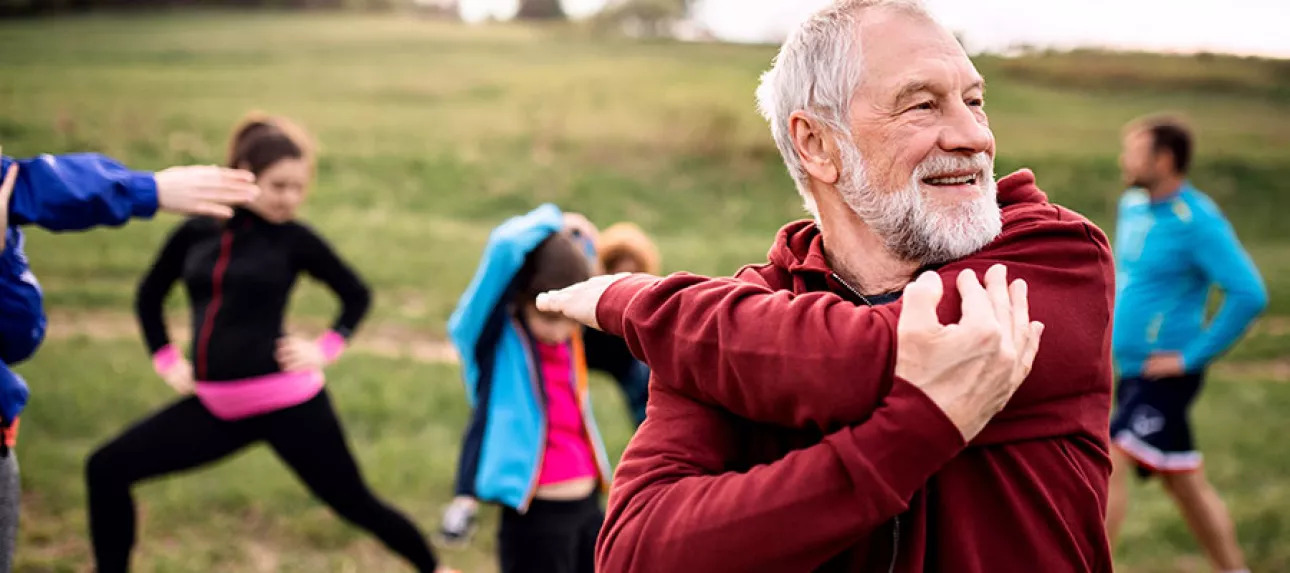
(677, 503)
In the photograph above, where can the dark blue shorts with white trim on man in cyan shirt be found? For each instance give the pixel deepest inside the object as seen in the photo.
(1151, 425)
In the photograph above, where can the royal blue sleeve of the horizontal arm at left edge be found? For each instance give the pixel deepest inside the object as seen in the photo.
(79, 192)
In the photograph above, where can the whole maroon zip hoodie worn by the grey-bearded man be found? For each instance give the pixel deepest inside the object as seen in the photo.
(779, 439)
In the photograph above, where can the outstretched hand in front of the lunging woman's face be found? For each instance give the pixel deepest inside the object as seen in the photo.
(204, 190)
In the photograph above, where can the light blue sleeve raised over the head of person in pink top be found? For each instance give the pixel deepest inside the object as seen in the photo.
(508, 247)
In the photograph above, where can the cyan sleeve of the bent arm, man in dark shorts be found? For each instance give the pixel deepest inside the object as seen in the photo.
(1220, 256)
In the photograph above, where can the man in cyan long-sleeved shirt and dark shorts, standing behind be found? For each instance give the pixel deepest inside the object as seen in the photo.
(1172, 246)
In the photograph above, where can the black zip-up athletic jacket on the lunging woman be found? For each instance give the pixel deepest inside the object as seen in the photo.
(239, 276)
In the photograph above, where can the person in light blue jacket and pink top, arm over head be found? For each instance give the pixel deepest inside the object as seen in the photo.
(532, 446)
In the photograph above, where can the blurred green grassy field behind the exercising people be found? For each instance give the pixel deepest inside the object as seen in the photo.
(432, 134)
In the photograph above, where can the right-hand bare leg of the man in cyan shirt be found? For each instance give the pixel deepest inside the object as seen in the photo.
(1208, 518)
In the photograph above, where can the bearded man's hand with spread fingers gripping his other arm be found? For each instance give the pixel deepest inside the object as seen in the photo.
(971, 370)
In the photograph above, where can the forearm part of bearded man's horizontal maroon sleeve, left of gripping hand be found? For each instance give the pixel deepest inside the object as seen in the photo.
(767, 356)
